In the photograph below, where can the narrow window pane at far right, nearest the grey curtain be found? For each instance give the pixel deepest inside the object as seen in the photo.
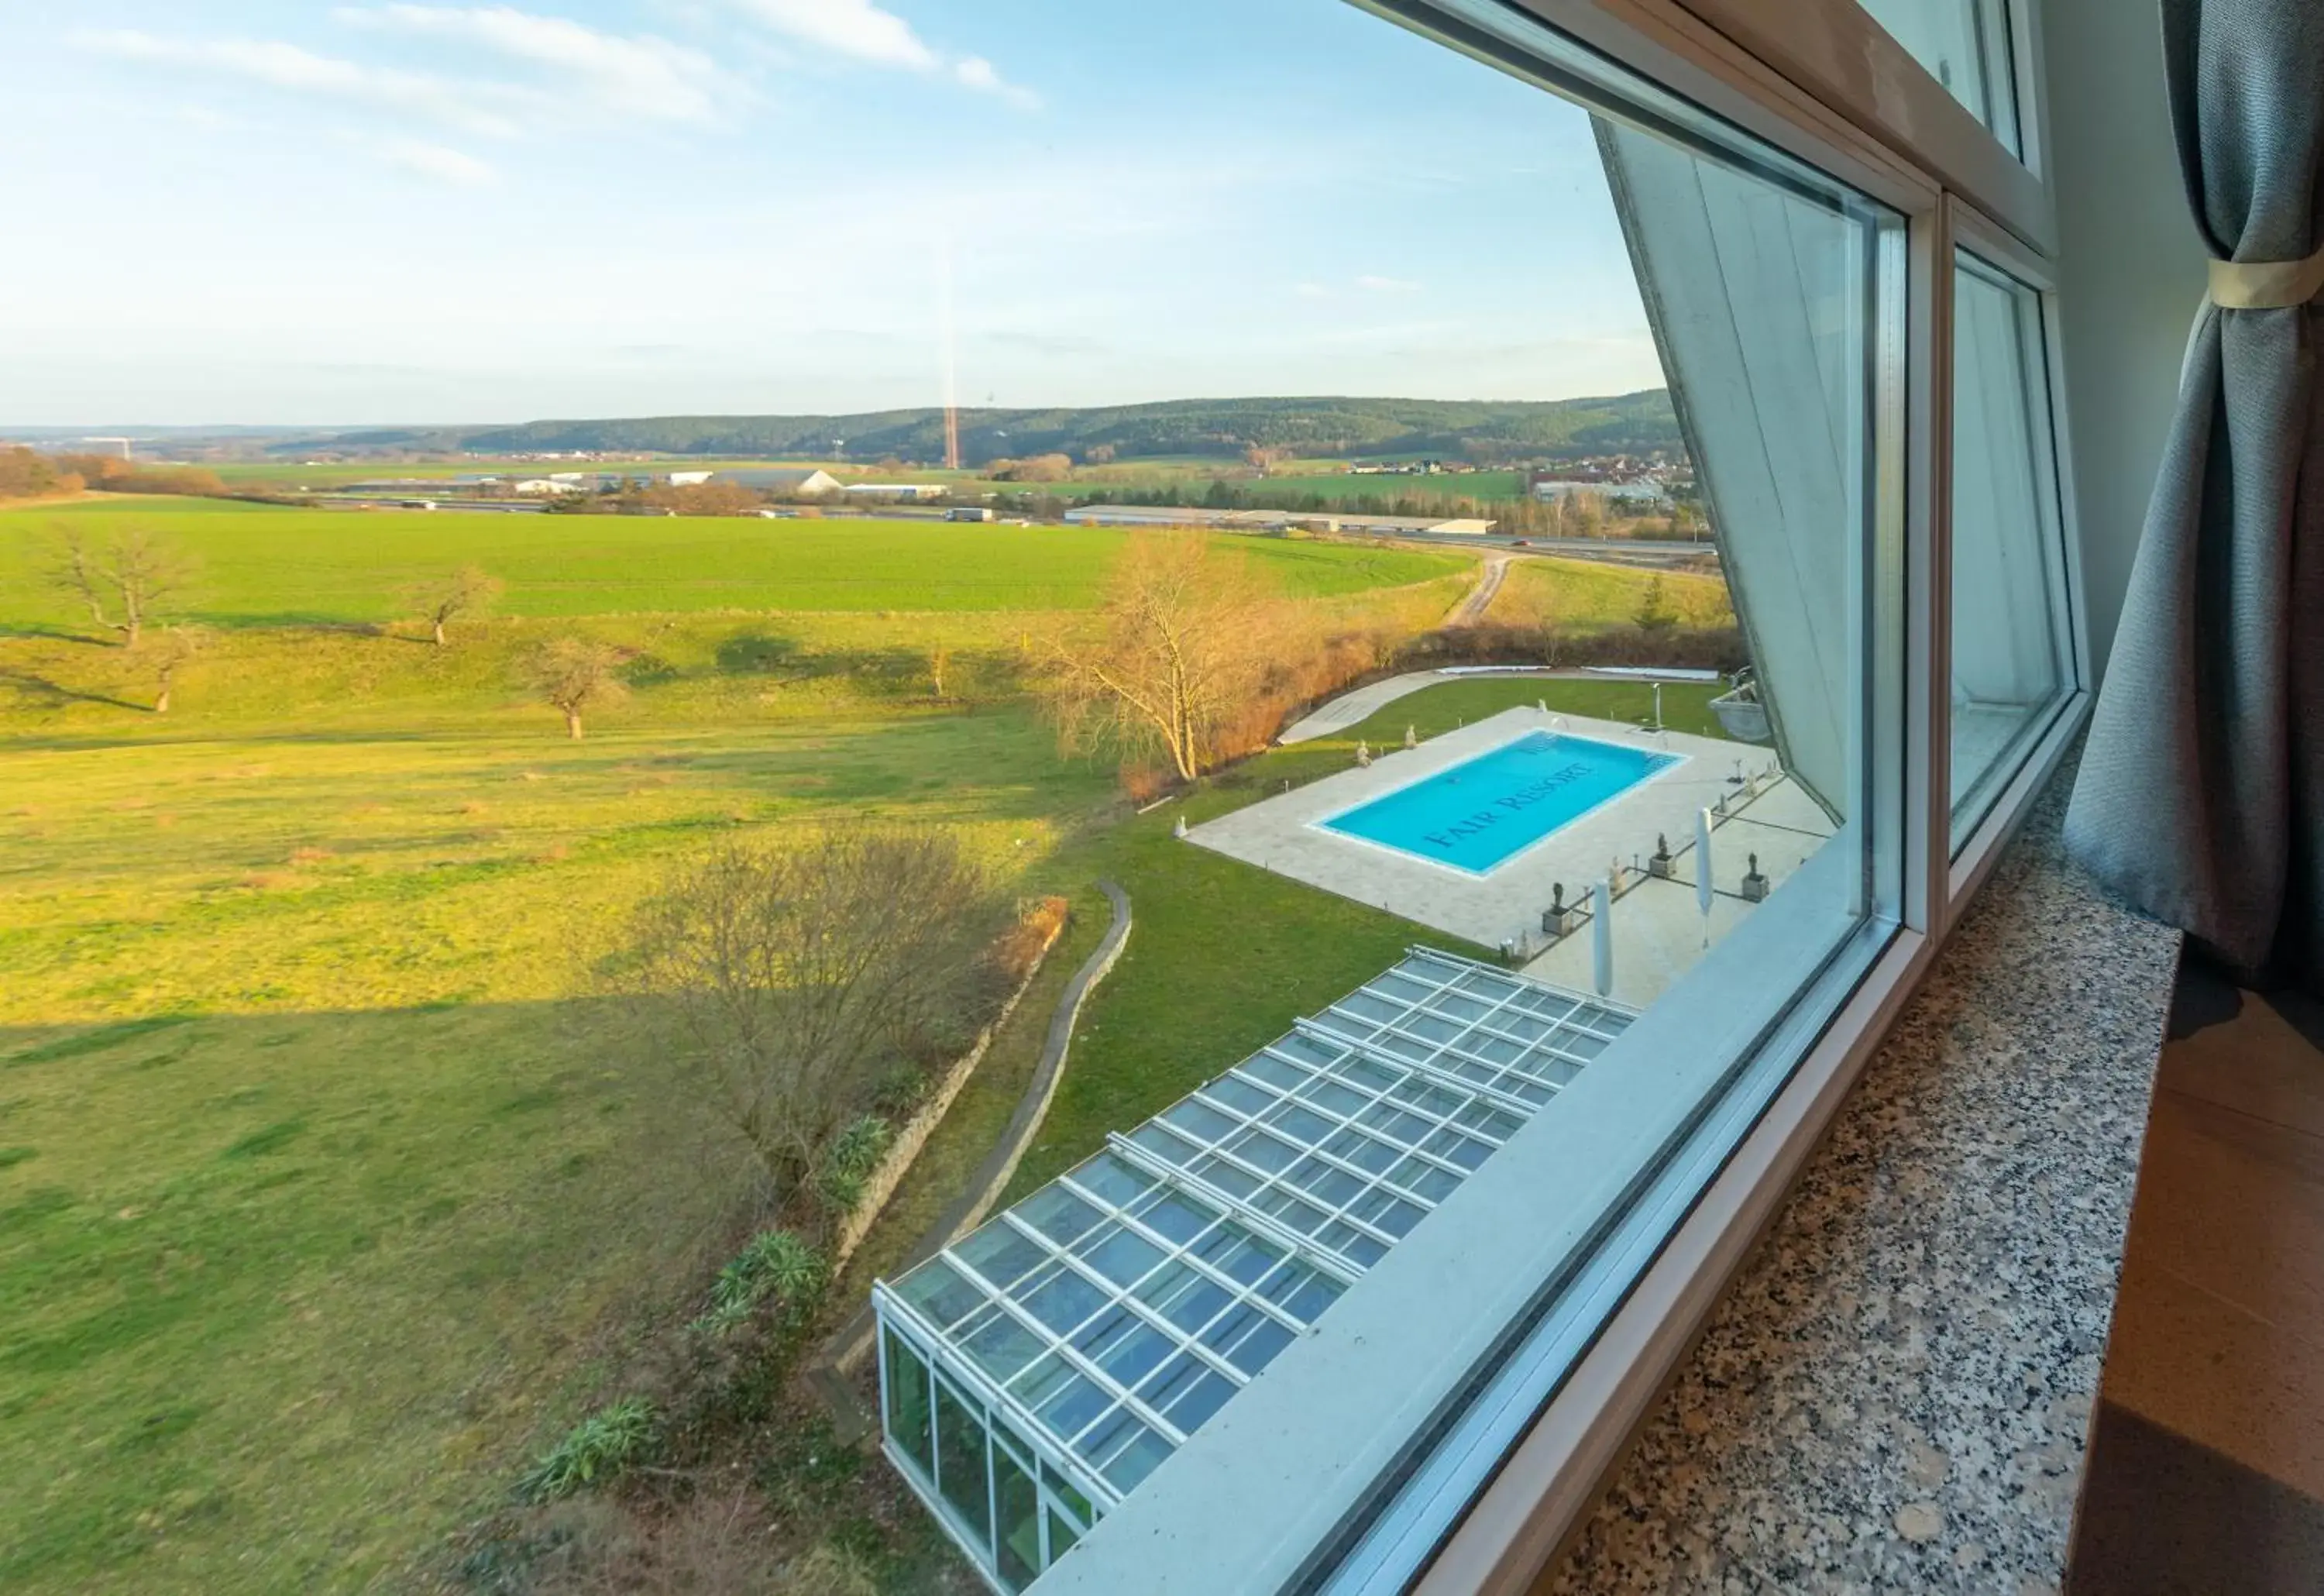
(2009, 626)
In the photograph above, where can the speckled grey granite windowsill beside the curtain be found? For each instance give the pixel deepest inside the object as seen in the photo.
(1895, 1395)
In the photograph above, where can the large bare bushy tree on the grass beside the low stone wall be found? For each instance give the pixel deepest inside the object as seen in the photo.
(796, 979)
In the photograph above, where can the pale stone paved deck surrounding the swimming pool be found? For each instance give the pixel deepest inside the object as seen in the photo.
(1505, 905)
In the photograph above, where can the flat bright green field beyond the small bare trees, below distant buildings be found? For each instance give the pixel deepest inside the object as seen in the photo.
(264, 566)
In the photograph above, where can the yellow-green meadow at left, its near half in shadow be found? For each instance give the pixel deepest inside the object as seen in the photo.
(313, 1239)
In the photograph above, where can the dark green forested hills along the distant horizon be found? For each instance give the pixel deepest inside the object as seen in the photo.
(1317, 429)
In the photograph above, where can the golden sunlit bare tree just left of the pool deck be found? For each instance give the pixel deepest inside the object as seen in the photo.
(1184, 649)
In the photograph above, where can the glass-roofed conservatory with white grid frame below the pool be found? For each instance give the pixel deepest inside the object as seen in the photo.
(1042, 1367)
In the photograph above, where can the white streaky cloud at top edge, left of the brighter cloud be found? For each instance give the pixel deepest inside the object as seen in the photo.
(631, 76)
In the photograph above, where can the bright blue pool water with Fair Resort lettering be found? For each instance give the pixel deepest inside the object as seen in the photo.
(1479, 814)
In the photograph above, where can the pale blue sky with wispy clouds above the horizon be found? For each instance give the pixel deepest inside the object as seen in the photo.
(610, 208)
